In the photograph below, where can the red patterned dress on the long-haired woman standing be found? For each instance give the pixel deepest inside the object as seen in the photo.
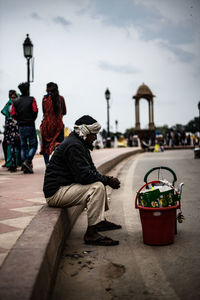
(50, 127)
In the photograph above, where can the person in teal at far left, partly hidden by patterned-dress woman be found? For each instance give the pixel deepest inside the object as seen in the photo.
(6, 112)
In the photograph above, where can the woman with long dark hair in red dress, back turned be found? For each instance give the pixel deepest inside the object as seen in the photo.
(52, 127)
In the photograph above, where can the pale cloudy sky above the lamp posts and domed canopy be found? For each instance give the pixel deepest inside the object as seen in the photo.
(86, 46)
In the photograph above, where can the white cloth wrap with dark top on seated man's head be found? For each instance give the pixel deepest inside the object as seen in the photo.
(86, 125)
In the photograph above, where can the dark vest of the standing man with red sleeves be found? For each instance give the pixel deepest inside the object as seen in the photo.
(24, 113)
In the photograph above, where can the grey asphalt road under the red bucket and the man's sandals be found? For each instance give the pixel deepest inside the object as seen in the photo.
(134, 270)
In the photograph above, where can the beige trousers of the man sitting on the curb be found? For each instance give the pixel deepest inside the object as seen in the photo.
(93, 196)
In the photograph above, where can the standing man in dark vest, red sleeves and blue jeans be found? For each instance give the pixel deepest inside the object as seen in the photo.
(25, 111)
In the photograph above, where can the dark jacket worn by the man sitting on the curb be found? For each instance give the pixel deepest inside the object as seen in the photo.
(70, 163)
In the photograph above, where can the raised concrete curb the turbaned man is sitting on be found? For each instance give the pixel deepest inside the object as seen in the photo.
(29, 270)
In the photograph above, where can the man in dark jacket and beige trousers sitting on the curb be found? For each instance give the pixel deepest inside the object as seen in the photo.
(72, 179)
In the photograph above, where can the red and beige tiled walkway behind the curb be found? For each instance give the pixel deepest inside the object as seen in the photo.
(21, 197)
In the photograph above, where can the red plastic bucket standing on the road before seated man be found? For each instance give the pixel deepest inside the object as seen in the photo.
(158, 224)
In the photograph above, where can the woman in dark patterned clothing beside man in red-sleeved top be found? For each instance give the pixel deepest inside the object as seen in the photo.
(12, 136)
